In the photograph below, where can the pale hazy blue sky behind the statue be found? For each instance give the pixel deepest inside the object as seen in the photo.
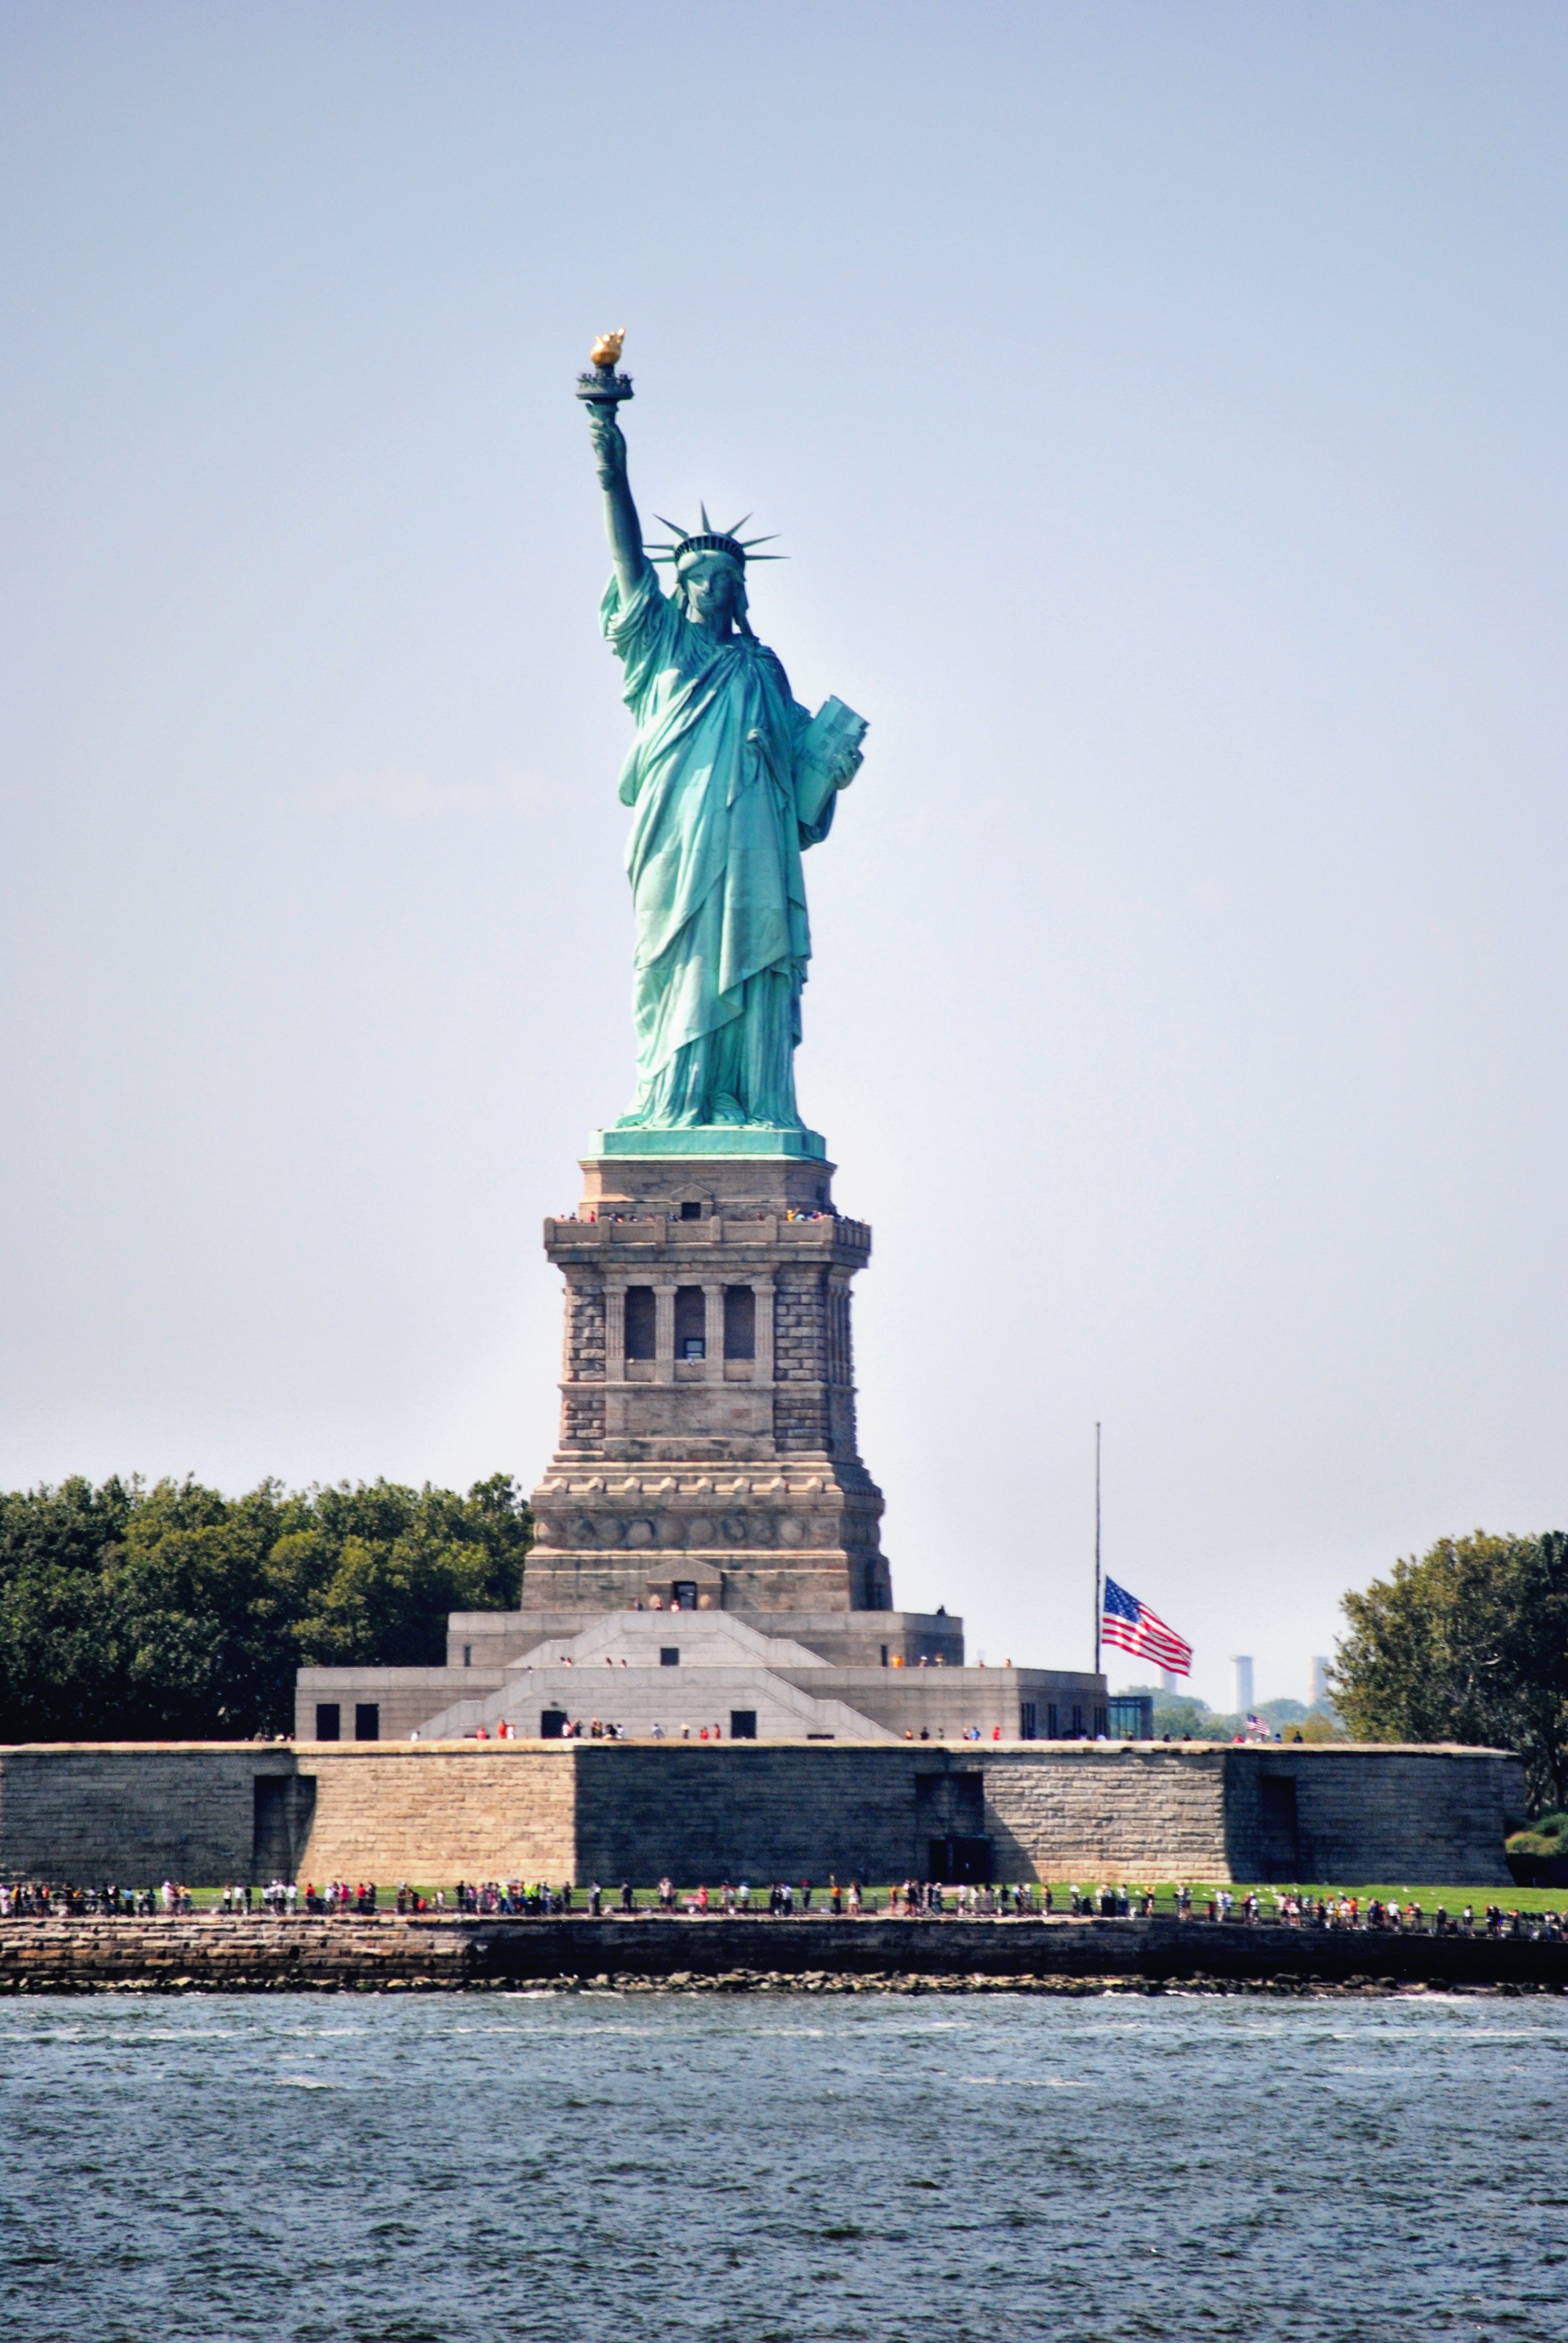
(1164, 414)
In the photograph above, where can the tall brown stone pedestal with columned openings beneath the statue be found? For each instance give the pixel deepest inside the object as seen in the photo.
(707, 1405)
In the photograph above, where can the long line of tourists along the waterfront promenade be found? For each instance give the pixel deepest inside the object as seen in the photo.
(786, 1899)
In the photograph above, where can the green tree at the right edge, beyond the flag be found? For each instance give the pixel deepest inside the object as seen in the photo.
(1466, 1644)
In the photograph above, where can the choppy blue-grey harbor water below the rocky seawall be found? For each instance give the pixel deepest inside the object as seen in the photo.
(782, 2168)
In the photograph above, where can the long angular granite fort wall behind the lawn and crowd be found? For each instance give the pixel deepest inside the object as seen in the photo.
(786, 1810)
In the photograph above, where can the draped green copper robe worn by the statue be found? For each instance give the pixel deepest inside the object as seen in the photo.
(716, 868)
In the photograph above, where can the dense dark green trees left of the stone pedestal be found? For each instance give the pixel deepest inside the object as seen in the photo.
(179, 1613)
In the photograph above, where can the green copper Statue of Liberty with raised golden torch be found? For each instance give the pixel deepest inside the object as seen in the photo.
(730, 779)
